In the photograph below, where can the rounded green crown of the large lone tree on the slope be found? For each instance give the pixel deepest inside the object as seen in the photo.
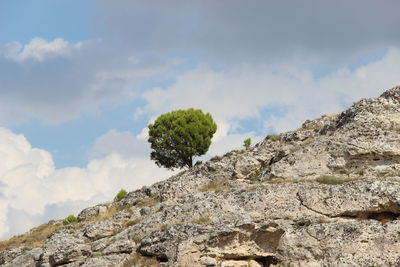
(179, 136)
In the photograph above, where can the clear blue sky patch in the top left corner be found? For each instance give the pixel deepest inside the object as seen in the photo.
(23, 20)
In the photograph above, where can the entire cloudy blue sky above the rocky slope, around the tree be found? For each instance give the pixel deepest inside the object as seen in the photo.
(81, 80)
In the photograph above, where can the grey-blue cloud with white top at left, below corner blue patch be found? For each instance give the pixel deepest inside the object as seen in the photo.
(56, 80)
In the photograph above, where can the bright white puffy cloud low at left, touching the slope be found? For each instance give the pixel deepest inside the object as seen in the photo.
(31, 187)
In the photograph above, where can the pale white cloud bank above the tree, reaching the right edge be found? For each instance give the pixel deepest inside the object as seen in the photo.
(289, 94)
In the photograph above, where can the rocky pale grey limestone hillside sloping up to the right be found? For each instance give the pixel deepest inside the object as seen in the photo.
(326, 194)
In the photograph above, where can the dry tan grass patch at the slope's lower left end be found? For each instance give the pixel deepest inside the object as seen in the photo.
(34, 238)
